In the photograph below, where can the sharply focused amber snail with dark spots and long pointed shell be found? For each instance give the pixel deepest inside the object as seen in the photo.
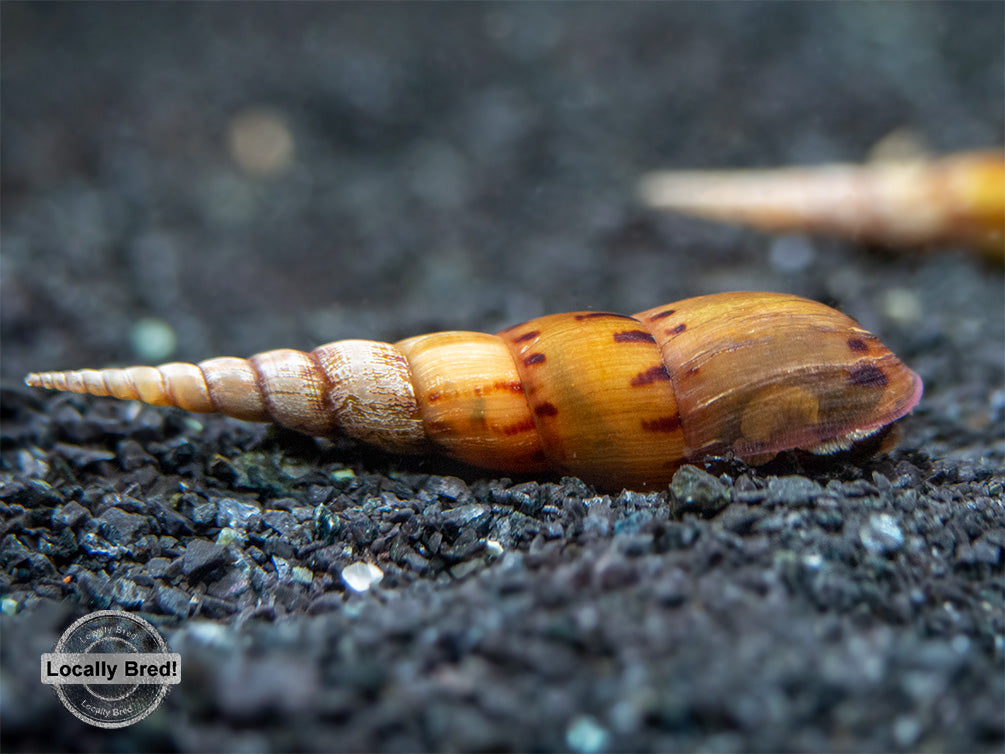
(617, 401)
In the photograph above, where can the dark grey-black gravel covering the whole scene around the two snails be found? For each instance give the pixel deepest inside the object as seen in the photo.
(471, 167)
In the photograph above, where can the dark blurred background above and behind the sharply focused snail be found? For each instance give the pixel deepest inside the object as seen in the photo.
(188, 180)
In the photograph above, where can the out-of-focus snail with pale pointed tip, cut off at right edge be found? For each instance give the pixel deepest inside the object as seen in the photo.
(959, 200)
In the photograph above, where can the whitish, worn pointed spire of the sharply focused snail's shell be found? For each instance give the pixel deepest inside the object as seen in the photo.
(360, 389)
